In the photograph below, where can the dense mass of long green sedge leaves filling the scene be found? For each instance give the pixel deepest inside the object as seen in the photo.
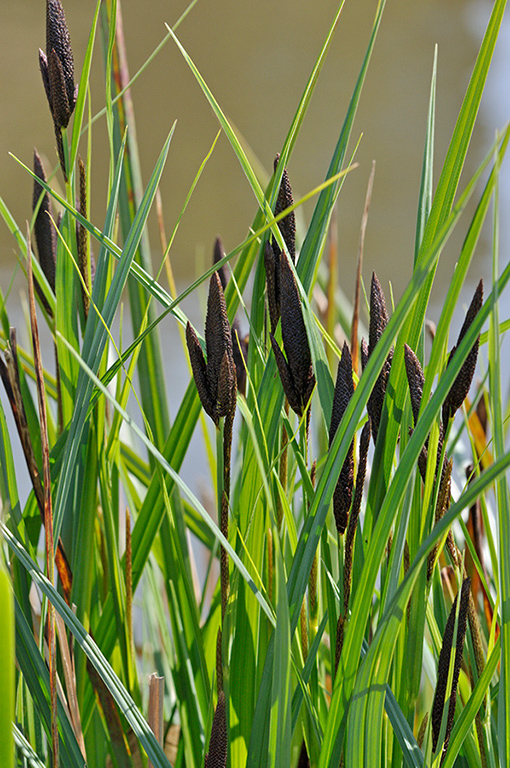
(320, 653)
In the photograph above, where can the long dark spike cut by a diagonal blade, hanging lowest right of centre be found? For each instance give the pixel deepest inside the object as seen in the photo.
(344, 390)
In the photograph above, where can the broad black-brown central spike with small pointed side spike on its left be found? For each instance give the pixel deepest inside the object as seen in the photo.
(296, 371)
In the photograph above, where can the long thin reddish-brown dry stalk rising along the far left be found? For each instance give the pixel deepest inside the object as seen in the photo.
(48, 512)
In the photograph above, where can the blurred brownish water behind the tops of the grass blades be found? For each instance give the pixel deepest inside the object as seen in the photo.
(256, 57)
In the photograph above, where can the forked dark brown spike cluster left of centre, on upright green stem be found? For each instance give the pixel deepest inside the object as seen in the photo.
(215, 379)
